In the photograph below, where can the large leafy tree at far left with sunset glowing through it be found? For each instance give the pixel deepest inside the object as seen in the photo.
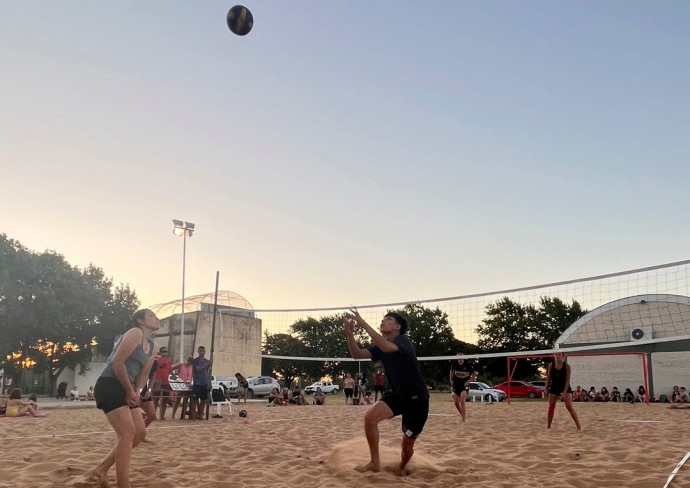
(51, 312)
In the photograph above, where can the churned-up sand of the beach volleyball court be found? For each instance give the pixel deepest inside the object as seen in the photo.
(499, 445)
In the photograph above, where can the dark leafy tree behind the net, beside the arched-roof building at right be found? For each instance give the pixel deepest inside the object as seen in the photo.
(512, 327)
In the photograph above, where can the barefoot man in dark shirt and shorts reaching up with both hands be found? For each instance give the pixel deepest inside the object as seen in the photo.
(408, 395)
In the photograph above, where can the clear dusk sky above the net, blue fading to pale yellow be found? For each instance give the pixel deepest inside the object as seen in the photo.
(347, 152)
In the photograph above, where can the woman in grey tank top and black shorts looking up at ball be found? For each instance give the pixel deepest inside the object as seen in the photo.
(117, 393)
